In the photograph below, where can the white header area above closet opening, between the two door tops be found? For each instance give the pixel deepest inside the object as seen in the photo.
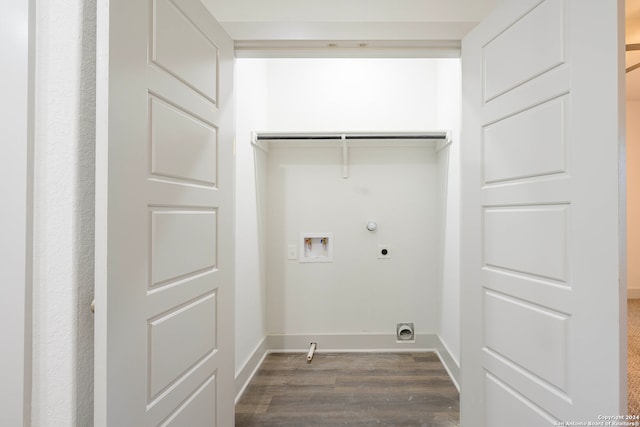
(349, 19)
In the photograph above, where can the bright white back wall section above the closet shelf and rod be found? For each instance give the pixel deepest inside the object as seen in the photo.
(352, 94)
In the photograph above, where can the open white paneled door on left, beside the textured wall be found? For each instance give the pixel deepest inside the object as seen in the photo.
(164, 215)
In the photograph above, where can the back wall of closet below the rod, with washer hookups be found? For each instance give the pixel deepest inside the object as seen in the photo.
(357, 293)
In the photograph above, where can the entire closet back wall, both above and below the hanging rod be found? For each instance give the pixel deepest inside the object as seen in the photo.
(357, 293)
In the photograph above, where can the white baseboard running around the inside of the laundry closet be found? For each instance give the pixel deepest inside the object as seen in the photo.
(343, 343)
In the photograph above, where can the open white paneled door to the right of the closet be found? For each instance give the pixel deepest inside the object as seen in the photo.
(541, 287)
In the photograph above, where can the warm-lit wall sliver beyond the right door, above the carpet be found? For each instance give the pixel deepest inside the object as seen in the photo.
(633, 198)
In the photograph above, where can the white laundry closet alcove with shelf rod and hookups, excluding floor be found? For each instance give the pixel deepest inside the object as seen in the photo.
(325, 146)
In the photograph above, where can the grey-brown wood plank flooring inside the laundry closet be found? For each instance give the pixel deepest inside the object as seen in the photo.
(352, 389)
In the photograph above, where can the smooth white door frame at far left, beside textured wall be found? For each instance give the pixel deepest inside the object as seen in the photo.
(17, 32)
